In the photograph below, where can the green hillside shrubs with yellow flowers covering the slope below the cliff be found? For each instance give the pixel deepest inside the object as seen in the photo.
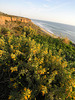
(33, 65)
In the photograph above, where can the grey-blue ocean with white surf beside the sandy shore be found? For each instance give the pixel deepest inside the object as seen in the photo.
(62, 30)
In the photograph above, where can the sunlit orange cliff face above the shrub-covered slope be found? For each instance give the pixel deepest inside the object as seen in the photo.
(7, 18)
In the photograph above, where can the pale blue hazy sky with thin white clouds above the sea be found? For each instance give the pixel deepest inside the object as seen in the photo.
(62, 11)
